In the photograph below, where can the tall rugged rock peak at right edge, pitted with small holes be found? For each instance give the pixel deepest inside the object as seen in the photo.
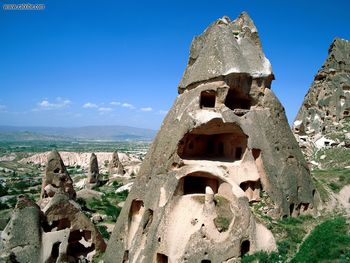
(324, 118)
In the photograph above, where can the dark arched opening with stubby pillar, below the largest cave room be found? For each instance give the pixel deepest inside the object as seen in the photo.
(195, 183)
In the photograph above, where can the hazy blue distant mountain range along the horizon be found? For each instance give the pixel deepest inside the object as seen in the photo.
(105, 133)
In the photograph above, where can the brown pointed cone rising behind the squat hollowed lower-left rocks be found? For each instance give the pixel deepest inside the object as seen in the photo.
(56, 178)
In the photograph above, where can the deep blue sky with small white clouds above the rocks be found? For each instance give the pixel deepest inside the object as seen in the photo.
(112, 62)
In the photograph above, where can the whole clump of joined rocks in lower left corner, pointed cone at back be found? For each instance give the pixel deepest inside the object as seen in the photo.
(58, 230)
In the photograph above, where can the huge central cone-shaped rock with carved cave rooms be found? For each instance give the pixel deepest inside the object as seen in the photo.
(225, 140)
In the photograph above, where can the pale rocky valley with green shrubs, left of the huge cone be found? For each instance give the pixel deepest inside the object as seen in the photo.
(21, 172)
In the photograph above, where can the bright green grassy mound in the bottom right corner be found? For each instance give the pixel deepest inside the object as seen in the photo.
(329, 241)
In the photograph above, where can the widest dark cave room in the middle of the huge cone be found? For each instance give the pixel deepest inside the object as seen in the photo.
(215, 141)
